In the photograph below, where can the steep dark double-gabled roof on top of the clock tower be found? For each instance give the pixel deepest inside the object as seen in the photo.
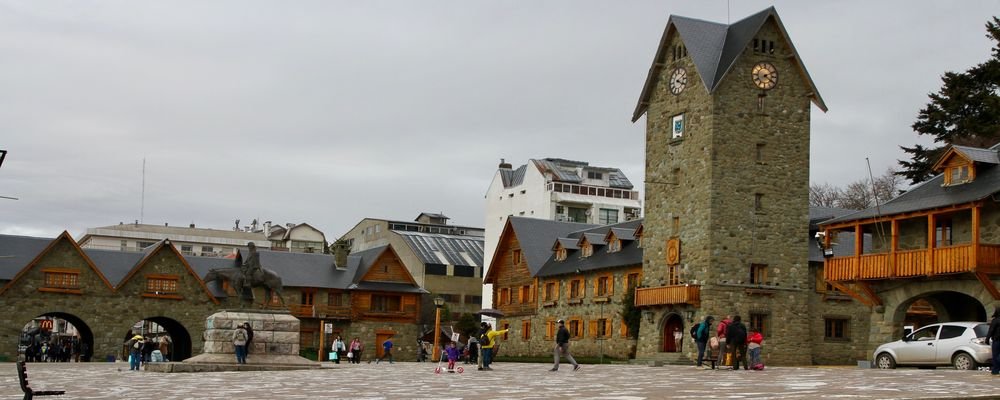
(714, 49)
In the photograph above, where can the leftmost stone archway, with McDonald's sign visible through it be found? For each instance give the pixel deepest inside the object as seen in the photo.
(64, 337)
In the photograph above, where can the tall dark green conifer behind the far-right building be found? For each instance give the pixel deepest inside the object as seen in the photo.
(966, 111)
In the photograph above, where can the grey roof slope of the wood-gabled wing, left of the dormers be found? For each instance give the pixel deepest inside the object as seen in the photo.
(537, 235)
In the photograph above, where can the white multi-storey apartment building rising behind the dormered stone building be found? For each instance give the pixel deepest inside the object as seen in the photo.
(560, 190)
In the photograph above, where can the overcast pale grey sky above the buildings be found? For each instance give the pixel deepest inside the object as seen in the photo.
(329, 112)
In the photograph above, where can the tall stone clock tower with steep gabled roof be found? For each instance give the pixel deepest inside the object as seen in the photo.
(727, 183)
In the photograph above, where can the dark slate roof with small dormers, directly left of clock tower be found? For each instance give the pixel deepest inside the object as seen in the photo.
(630, 254)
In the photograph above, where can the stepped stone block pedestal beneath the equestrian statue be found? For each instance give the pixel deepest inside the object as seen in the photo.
(275, 344)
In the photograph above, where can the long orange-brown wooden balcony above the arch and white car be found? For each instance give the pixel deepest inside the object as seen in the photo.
(984, 258)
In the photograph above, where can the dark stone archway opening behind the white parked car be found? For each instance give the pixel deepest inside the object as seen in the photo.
(941, 306)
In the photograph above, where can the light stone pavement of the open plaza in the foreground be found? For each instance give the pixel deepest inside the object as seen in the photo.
(507, 381)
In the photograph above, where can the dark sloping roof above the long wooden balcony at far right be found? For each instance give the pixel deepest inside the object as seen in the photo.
(931, 194)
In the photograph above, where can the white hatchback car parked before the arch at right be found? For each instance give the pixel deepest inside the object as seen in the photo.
(961, 344)
